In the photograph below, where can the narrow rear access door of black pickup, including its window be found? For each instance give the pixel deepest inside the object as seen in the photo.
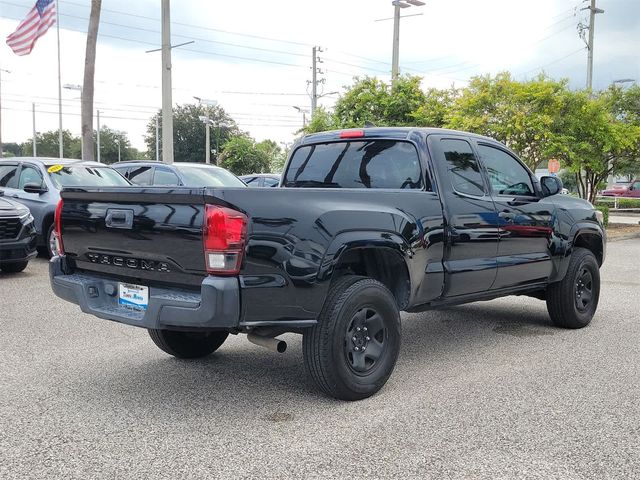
(472, 223)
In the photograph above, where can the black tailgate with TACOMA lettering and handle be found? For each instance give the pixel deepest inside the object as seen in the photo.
(148, 235)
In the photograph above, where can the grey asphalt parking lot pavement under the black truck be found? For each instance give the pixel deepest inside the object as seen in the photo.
(488, 390)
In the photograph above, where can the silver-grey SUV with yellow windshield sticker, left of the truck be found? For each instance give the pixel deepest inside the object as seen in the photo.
(36, 183)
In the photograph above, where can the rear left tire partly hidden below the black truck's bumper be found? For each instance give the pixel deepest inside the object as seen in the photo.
(187, 344)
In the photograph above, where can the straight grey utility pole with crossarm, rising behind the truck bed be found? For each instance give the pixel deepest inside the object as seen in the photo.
(167, 102)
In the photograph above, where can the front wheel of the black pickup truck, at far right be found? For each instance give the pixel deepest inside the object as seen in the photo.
(573, 301)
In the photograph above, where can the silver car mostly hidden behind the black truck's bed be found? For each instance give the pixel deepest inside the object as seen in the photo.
(148, 173)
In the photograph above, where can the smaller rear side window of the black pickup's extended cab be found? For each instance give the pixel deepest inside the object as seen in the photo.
(462, 167)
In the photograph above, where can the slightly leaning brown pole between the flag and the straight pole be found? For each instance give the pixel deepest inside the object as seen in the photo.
(86, 91)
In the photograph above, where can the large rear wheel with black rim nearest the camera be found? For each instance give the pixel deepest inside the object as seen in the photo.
(329, 347)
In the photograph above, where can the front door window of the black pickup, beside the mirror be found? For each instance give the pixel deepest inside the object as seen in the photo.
(506, 175)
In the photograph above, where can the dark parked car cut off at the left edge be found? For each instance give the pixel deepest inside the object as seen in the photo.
(17, 236)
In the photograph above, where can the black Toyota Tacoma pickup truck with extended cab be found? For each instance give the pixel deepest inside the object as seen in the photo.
(365, 224)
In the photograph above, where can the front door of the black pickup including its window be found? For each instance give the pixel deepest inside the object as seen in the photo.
(525, 220)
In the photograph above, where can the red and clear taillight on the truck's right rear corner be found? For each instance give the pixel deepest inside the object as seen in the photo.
(224, 238)
